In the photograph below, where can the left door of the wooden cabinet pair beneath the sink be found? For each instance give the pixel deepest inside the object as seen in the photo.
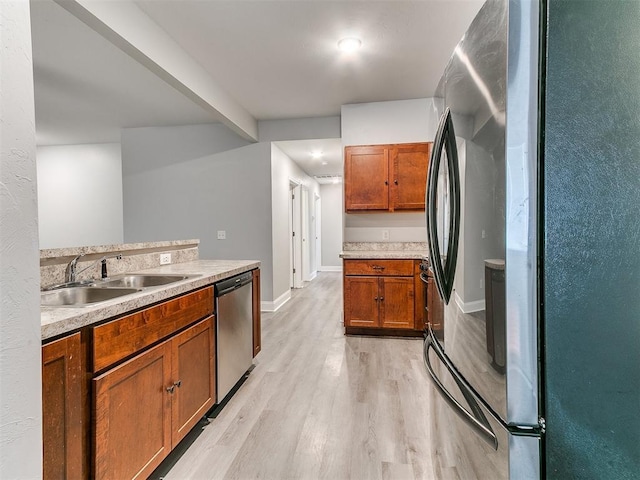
(132, 423)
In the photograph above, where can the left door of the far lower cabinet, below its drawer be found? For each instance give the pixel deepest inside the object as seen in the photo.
(361, 299)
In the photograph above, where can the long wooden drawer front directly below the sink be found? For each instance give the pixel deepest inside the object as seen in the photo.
(116, 340)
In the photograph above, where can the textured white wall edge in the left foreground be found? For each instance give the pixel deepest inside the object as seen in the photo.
(20, 344)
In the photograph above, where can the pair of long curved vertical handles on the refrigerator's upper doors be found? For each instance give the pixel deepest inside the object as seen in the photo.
(445, 140)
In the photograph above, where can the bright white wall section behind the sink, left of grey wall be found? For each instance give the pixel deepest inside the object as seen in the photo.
(80, 195)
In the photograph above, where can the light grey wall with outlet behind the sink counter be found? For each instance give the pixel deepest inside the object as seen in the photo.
(190, 182)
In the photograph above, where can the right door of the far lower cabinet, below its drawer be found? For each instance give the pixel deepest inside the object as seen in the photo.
(397, 302)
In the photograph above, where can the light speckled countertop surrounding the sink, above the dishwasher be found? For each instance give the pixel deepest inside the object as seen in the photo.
(60, 320)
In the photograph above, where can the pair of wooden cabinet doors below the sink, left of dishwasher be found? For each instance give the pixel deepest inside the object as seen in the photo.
(146, 405)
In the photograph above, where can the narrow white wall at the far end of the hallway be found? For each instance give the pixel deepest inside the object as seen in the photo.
(331, 225)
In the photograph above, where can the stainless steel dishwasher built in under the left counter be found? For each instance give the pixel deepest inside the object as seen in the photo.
(234, 331)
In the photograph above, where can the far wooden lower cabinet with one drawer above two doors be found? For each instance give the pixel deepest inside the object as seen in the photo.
(383, 301)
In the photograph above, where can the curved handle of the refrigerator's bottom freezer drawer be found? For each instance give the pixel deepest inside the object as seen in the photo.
(476, 420)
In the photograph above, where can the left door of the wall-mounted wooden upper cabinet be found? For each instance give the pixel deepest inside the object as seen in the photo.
(366, 175)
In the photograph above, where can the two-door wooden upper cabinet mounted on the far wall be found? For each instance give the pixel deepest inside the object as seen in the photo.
(386, 177)
